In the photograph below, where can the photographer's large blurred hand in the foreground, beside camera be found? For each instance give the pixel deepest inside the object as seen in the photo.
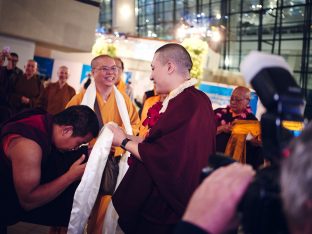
(213, 205)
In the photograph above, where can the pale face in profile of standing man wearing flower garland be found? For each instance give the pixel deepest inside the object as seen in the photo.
(159, 75)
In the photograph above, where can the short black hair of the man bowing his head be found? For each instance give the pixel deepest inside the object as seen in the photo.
(82, 118)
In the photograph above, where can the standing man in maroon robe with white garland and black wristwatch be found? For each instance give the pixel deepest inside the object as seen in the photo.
(165, 168)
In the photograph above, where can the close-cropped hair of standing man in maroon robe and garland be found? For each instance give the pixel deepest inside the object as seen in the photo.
(176, 53)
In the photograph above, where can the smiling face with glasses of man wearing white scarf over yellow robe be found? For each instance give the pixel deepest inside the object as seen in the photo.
(104, 71)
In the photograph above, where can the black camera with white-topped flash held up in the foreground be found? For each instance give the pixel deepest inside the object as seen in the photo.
(270, 76)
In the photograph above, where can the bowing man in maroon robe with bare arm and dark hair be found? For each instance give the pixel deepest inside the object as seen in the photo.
(39, 145)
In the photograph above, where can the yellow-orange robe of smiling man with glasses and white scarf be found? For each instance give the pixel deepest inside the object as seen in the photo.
(109, 112)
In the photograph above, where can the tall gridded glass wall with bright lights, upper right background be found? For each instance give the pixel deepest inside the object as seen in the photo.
(280, 27)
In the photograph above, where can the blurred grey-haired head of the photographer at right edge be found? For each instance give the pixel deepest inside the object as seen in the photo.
(296, 181)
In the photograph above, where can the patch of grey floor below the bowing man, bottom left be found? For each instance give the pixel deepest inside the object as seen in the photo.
(28, 228)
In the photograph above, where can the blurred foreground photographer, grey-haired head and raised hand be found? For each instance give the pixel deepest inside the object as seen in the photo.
(213, 206)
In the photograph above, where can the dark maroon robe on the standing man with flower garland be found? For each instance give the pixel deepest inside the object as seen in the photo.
(154, 193)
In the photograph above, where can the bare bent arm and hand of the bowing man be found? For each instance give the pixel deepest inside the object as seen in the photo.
(25, 156)
